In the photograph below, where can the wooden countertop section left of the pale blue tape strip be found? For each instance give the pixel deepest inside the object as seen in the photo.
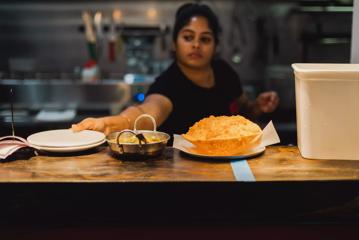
(100, 165)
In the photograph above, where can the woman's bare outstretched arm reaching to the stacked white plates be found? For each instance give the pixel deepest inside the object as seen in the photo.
(157, 105)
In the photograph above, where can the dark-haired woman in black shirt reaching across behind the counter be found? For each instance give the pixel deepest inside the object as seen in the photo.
(195, 86)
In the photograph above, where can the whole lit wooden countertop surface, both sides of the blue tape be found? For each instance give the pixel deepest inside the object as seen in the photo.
(278, 163)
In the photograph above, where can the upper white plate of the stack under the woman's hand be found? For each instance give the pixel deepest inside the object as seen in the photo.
(62, 138)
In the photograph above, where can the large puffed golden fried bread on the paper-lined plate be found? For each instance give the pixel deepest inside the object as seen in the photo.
(223, 135)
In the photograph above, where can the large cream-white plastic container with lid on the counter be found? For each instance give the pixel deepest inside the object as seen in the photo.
(327, 101)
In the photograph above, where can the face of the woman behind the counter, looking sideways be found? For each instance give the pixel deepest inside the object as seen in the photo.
(195, 44)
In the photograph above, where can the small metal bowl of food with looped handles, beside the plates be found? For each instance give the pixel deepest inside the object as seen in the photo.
(138, 143)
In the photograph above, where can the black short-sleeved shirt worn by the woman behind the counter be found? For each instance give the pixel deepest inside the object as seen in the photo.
(191, 102)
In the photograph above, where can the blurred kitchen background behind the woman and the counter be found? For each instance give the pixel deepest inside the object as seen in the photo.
(46, 48)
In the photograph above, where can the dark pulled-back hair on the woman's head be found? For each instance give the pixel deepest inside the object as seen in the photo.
(189, 10)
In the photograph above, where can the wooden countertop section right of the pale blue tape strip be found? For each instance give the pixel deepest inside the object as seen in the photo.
(286, 164)
